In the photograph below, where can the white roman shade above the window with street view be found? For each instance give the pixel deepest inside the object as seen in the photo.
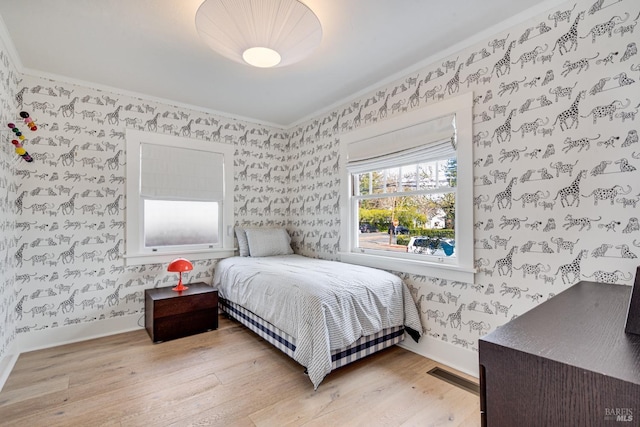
(432, 140)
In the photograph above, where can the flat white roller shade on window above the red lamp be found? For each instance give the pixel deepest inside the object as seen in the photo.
(180, 173)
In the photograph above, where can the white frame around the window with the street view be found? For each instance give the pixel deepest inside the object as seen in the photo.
(461, 268)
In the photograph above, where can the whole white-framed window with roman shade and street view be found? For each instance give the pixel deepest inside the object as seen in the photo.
(404, 181)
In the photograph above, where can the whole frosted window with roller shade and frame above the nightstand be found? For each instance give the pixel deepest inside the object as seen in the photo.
(179, 198)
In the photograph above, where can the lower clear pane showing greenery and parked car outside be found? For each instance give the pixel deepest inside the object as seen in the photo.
(424, 224)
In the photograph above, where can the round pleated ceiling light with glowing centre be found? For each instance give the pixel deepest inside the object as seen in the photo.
(262, 33)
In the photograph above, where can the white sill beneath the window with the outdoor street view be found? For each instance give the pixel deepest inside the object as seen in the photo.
(423, 268)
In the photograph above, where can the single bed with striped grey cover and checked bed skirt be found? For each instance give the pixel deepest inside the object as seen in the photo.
(323, 314)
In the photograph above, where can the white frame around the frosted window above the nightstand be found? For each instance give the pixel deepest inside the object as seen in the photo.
(135, 251)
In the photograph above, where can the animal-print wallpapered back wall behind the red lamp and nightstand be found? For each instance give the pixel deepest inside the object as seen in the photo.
(71, 205)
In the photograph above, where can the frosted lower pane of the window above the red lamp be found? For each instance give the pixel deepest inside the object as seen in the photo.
(174, 223)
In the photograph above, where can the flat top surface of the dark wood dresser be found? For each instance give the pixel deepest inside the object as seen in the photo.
(582, 327)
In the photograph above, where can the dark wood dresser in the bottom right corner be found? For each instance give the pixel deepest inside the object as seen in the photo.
(567, 362)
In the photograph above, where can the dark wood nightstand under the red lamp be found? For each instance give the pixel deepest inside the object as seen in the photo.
(170, 314)
